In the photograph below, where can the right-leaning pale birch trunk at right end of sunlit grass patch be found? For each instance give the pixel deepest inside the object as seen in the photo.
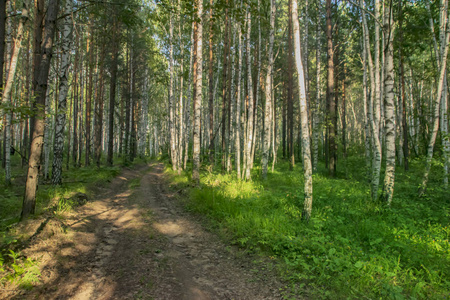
(268, 90)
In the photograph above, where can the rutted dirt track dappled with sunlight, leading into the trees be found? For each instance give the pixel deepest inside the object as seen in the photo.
(135, 240)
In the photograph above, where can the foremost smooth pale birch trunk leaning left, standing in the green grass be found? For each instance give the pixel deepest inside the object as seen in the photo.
(306, 150)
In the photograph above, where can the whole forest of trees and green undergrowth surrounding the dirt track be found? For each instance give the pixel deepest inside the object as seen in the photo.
(313, 134)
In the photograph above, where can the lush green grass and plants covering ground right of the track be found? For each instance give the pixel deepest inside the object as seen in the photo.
(352, 247)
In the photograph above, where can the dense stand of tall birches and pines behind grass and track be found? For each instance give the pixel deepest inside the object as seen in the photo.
(127, 80)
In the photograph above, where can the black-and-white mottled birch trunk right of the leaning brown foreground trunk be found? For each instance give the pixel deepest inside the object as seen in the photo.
(62, 100)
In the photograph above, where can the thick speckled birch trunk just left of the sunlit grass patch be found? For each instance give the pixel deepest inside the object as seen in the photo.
(198, 95)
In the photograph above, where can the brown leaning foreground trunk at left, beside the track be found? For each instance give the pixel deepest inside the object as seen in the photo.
(29, 201)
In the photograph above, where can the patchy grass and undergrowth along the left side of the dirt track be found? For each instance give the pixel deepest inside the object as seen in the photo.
(54, 200)
